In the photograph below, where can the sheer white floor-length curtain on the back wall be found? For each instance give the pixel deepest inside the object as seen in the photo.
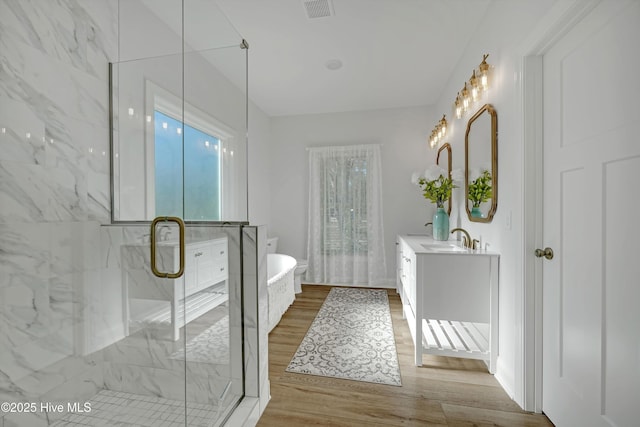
(345, 235)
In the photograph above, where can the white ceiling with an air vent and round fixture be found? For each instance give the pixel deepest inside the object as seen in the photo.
(396, 53)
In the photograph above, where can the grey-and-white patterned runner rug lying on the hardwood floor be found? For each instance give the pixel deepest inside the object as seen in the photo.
(351, 338)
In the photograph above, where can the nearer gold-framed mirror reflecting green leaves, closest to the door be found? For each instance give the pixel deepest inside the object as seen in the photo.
(481, 165)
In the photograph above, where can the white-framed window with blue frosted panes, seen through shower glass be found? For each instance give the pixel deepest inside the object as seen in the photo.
(190, 157)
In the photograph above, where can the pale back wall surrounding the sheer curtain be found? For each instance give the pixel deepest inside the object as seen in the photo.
(402, 133)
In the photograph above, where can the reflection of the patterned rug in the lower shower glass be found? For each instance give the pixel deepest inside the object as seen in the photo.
(211, 346)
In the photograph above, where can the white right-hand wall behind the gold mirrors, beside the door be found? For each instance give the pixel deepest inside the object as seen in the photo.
(505, 232)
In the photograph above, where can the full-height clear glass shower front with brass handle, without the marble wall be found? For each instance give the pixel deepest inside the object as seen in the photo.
(179, 111)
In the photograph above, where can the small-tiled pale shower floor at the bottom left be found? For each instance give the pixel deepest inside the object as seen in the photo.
(114, 408)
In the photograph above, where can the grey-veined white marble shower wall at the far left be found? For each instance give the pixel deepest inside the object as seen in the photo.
(54, 191)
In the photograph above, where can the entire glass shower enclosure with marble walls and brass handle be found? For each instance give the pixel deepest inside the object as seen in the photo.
(138, 306)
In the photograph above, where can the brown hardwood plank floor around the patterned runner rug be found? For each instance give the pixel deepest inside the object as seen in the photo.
(442, 392)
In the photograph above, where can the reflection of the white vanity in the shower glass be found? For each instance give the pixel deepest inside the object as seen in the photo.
(202, 287)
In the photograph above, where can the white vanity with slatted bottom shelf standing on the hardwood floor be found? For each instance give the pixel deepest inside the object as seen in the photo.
(450, 298)
